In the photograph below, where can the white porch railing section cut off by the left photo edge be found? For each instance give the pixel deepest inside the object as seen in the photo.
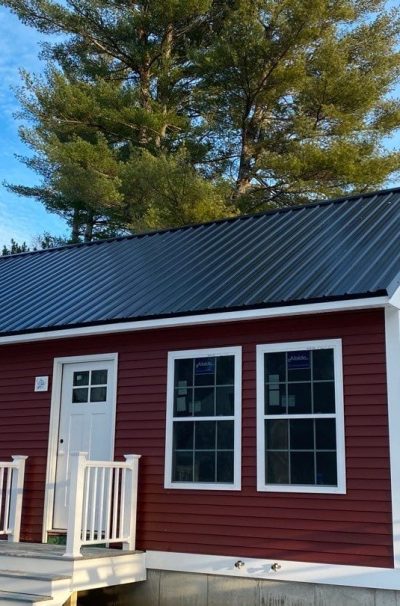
(11, 493)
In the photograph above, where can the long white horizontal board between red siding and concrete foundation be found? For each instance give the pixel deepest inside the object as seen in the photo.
(275, 570)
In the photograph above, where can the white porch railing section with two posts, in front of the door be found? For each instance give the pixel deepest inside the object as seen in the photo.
(102, 503)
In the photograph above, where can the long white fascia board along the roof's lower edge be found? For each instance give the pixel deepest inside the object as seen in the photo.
(193, 320)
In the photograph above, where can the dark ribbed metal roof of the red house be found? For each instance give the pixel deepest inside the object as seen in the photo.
(332, 250)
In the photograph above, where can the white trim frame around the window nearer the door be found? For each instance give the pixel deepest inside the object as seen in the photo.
(205, 353)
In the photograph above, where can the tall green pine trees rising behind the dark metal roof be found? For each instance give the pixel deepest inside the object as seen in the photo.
(163, 112)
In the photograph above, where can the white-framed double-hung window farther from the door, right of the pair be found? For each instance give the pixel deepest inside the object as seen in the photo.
(300, 428)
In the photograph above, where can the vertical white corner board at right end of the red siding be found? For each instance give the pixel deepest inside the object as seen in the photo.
(392, 333)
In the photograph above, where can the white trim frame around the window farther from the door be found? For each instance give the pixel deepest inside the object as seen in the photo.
(336, 345)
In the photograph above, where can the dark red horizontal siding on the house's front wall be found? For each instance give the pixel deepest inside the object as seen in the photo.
(345, 529)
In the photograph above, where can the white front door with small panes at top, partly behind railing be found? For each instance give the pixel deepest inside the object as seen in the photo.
(87, 422)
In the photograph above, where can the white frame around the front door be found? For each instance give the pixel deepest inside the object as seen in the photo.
(55, 408)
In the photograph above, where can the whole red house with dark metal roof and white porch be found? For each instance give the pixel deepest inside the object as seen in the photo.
(253, 364)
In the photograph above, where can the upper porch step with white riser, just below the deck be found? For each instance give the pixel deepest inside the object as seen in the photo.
(34, 583)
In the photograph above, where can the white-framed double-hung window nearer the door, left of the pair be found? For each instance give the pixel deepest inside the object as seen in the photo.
(203, 435)
